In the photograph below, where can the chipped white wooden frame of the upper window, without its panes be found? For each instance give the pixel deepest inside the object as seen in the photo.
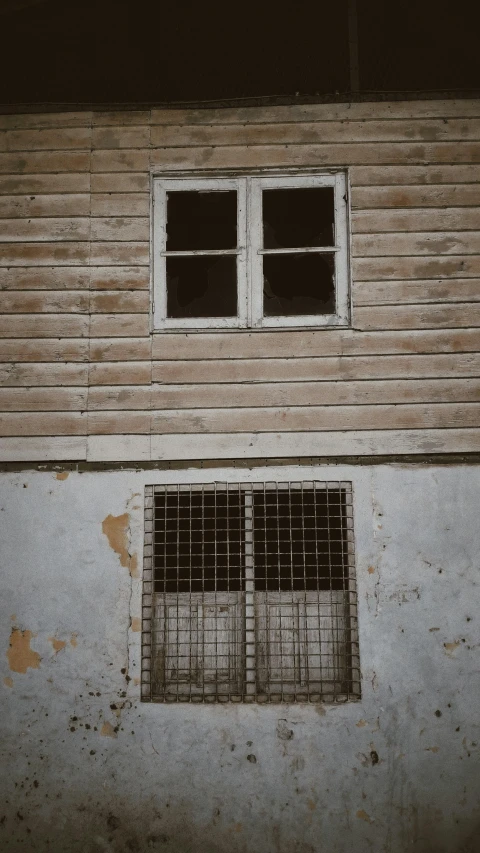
(249, 250)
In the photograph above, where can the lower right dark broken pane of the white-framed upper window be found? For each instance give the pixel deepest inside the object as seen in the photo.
(298, 284)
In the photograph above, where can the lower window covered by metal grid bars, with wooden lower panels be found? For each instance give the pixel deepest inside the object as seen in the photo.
(249, 593)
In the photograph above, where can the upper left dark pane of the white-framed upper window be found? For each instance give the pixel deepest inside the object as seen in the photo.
(201, 220)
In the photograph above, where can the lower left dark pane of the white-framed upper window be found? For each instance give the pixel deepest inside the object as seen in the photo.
(202, 286)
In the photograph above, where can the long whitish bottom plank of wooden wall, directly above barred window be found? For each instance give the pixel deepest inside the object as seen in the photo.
(299, 444)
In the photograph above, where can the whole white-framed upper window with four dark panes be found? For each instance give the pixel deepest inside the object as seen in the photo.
(256, 251)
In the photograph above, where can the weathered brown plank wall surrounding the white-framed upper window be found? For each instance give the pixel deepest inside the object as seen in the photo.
(83, 378)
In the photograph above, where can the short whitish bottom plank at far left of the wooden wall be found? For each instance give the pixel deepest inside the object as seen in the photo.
(56, 448)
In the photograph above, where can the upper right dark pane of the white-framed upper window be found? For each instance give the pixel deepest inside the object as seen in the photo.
(298, 219)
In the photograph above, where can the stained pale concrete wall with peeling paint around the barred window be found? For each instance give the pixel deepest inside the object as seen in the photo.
(89, 768)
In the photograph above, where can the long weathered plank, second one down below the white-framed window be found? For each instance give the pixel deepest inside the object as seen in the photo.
(319, 370)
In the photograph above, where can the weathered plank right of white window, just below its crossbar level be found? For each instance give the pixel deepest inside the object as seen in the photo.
(416, 267)
